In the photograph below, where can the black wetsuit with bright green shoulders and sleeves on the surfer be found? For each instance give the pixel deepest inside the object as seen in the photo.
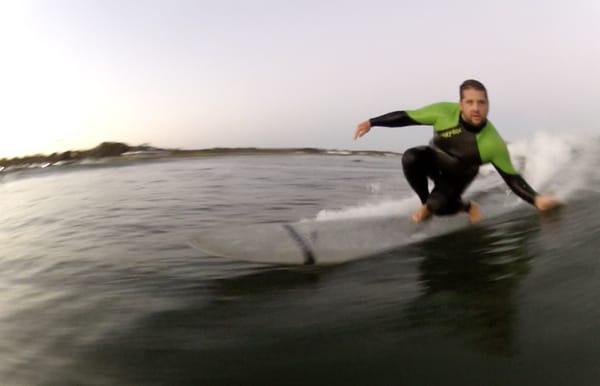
(453, 156)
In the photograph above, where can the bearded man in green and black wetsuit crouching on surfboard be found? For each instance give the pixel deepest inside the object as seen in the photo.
(463, 140)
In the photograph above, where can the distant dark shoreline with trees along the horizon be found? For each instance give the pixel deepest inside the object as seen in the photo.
(122, 150)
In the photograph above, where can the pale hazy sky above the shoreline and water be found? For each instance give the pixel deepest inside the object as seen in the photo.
(262, 73)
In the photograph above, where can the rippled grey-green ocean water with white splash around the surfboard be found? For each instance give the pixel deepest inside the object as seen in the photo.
(99, 286)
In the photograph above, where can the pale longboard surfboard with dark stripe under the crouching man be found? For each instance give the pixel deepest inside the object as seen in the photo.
(319, 242)
